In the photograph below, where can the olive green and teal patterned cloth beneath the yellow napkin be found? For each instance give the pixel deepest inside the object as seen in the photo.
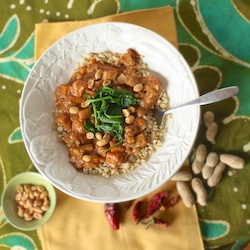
(213, 37)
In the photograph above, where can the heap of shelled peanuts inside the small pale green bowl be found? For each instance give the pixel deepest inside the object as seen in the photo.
(32, 201)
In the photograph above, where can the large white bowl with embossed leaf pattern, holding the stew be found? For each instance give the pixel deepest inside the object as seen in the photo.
(56, 66)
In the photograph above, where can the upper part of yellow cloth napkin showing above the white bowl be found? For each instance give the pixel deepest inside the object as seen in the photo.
(160, 20)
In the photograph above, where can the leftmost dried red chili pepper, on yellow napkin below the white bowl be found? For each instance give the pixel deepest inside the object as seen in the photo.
(112, 212)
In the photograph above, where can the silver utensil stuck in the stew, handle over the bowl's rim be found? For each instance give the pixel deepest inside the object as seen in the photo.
(211, 97)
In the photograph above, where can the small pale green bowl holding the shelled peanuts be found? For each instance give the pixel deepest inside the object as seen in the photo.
(10, 207)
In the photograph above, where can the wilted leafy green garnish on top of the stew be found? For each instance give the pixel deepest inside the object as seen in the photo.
(107, 107)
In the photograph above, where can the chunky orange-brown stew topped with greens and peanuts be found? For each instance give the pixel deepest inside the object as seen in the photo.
(101, 113)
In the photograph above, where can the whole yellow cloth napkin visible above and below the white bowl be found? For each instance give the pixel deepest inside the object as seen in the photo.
(82, 225)
